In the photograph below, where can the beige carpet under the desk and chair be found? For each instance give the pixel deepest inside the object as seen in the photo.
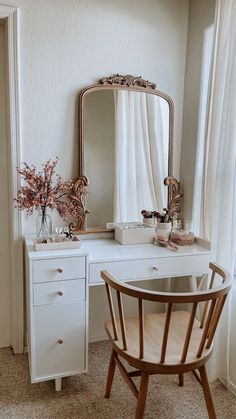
(82, 396)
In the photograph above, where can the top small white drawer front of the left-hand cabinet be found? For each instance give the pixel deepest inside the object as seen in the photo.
(58, 269)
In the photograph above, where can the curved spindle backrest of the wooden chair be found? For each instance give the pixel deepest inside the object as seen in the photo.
(212, 298)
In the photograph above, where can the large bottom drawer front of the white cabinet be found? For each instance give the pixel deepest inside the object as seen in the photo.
(60, 336)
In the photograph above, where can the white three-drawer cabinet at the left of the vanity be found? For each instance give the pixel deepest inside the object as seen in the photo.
(57, 313)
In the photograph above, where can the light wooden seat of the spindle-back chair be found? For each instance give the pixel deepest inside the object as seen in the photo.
(153, 333)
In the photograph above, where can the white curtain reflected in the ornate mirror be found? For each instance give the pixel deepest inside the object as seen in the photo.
(141, 154)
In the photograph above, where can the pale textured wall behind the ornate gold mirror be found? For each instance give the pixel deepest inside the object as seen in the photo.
(66, 45)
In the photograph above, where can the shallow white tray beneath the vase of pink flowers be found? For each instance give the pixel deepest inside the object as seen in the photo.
(49, 243)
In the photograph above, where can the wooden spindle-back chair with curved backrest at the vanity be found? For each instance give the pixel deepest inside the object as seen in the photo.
(174, 342)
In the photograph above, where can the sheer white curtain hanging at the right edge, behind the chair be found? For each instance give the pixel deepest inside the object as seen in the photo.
(218, 217)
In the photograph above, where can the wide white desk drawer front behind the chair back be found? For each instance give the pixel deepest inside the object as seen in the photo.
(151, 268)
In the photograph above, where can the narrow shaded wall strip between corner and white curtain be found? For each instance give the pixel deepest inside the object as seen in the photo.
(201, 16)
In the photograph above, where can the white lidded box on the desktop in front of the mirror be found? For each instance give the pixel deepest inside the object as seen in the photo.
(134, 233)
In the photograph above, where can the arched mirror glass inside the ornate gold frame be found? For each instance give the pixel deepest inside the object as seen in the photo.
(126, 142)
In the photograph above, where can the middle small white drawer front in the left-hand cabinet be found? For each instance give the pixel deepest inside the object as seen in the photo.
(59, 292)
